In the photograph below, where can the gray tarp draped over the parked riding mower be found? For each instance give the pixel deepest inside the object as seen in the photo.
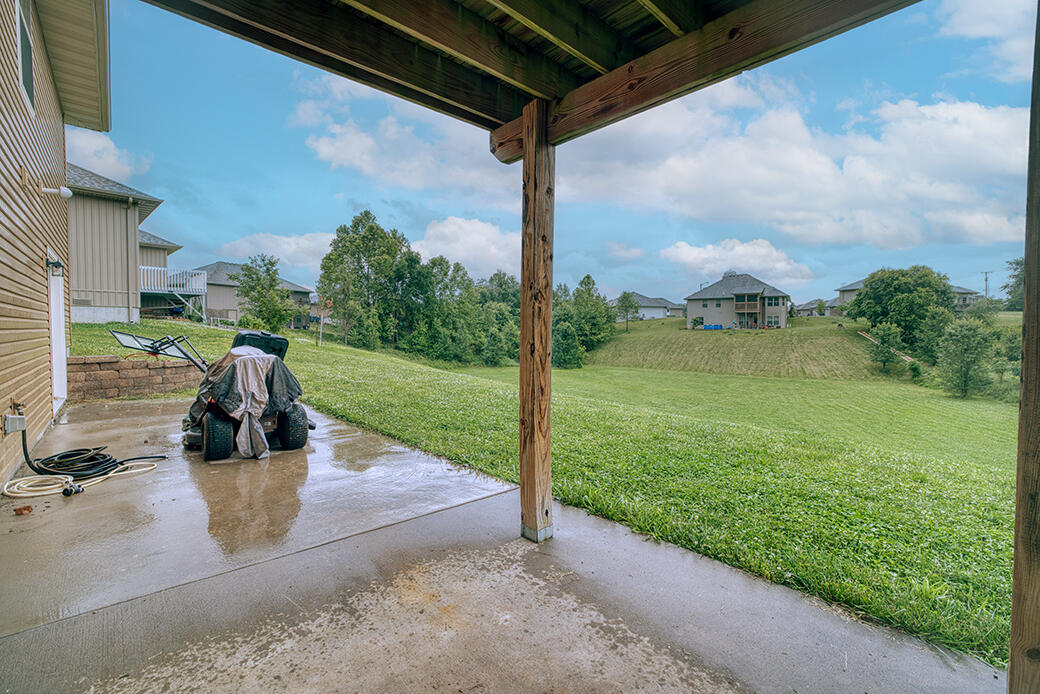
(248, 384)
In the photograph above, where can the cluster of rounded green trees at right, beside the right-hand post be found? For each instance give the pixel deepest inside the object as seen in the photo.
(913, 311)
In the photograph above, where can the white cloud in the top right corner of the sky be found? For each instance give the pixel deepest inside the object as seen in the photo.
(1007, 28)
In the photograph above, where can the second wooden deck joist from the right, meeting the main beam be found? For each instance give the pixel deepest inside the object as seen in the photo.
(574, 28)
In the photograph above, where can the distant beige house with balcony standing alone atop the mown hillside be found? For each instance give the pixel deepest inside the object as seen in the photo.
(739, 300)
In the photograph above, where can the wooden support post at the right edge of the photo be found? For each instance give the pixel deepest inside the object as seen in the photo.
(1024, 669)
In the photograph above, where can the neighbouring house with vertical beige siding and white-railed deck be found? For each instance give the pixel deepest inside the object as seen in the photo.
(119, 271)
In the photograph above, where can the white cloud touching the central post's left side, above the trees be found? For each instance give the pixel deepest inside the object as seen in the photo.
(481, 247)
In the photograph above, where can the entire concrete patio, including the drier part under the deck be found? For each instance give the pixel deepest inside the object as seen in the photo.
(448, 600)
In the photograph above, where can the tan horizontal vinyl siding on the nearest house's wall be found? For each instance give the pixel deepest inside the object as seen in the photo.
(31, 224)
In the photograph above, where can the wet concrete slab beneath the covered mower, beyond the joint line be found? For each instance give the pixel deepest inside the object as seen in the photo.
(191, 519)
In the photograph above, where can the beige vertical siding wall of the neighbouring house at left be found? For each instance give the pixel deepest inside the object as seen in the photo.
(105, 261)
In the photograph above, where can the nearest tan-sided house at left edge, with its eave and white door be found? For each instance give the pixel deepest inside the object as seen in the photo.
(54, 72)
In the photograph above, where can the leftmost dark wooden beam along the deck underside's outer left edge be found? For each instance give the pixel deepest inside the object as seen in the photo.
(329, 36)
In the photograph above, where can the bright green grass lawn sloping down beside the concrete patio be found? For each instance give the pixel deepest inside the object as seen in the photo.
(893, 500)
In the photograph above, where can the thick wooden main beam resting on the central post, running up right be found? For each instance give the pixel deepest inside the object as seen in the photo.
(755, 35)
